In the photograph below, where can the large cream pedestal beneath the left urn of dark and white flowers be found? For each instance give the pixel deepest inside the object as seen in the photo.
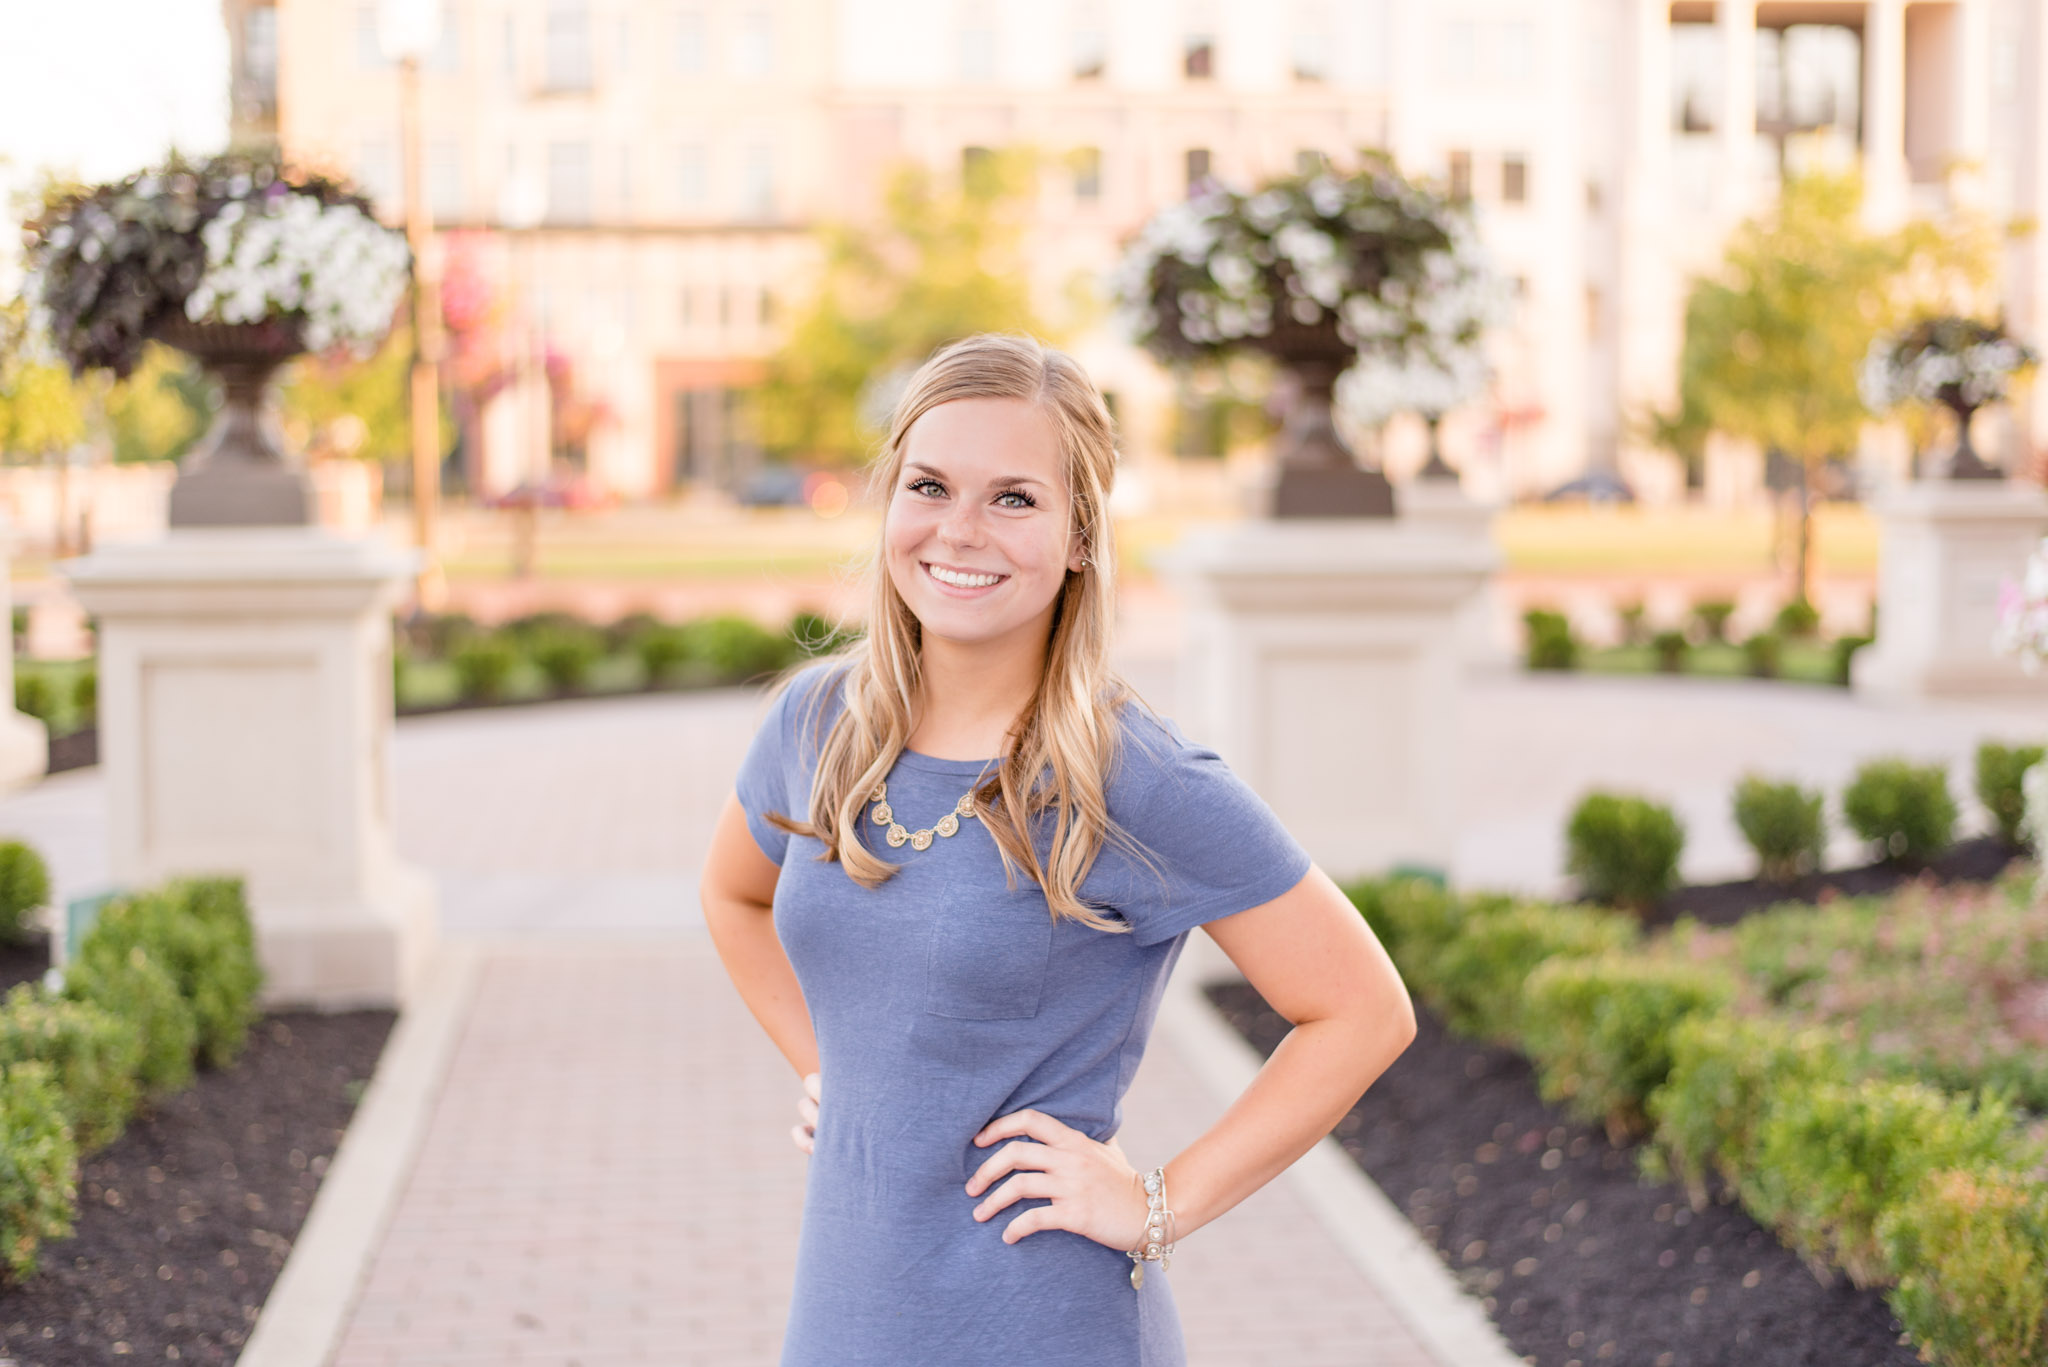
(247, 729)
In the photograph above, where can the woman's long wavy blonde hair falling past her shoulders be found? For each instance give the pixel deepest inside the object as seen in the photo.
(1066, 741)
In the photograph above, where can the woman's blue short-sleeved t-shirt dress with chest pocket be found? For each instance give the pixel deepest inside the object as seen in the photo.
(945, 999)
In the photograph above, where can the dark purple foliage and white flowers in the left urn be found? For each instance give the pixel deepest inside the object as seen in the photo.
(228, 241)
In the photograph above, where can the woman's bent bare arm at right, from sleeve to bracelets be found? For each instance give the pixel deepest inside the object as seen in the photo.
(1316, 960)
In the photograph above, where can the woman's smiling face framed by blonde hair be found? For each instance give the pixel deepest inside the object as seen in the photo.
(980, 528)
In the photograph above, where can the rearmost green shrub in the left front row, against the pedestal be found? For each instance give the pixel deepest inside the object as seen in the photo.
(202, 936)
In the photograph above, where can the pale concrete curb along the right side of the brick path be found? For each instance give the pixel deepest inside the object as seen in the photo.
(1357, 1214)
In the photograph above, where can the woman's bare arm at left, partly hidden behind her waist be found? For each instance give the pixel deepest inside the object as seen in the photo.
(738, 895)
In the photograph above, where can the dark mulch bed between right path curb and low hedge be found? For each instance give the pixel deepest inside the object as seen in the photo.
(1576, 1259)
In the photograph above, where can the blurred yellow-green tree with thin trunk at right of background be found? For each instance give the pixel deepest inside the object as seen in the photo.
(1775, 341)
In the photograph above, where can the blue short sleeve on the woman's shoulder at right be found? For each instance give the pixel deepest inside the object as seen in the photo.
(1211, 847)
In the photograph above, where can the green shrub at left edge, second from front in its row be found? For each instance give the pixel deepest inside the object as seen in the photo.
(93, 1054)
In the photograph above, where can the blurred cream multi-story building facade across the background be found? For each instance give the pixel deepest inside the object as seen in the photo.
(642, 177)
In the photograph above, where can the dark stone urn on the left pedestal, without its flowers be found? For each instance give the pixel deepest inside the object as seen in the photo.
(239, 474)
